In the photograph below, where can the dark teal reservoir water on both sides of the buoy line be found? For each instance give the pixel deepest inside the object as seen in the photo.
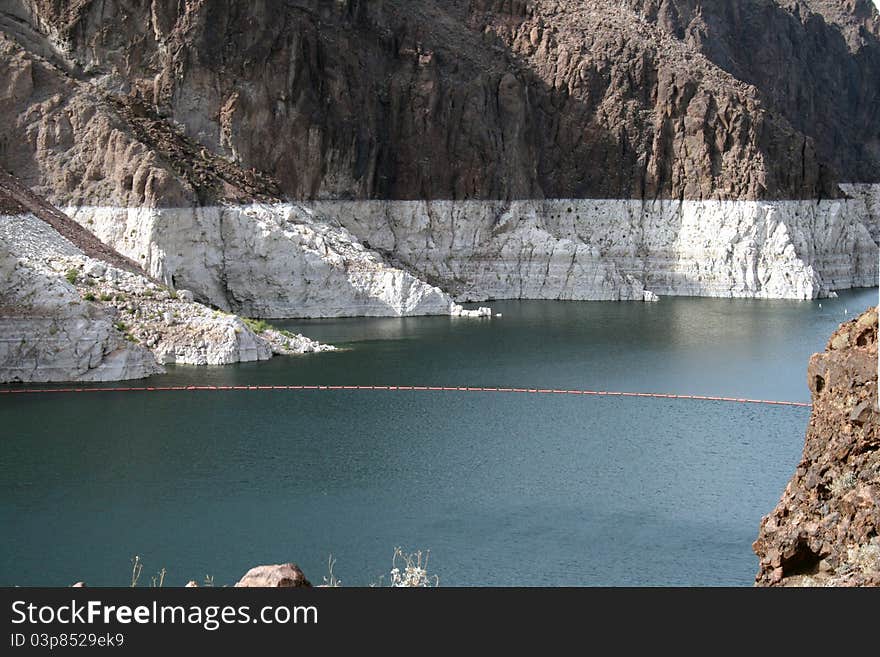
(504, 489)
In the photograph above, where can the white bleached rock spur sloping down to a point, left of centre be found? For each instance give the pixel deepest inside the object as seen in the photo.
(264, 260)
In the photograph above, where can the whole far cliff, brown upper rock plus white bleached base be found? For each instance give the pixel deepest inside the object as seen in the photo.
(484, 148)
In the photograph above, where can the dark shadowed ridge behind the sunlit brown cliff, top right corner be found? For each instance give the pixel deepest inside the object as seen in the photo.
(814, 62)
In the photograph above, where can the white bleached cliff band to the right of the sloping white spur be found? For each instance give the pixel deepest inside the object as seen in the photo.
(601, 249)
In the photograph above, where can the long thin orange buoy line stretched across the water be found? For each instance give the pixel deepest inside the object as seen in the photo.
(536, 391)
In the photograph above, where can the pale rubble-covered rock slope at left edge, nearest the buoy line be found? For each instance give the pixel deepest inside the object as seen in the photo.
(65, 316)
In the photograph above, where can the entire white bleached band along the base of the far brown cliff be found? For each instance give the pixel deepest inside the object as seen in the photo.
(330, 258)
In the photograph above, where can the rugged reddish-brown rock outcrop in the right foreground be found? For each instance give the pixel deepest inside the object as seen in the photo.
(824, 531)
